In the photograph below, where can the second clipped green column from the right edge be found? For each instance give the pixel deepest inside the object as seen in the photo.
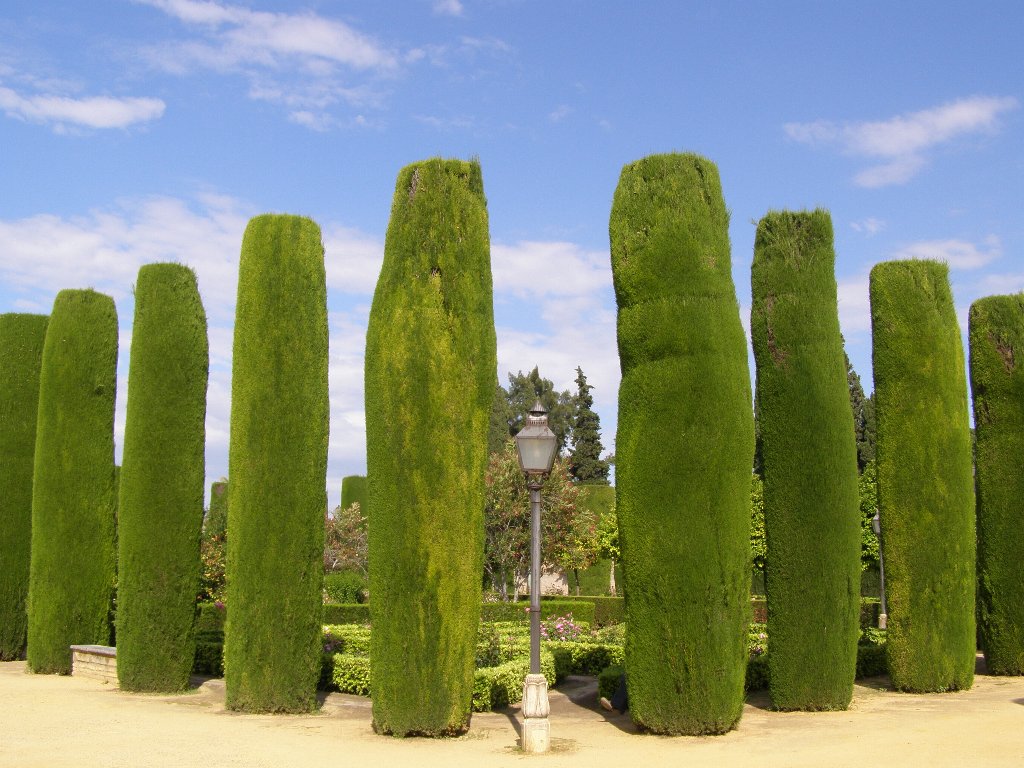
(926, 489)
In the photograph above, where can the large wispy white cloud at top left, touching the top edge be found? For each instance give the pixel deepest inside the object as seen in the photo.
(306, 62)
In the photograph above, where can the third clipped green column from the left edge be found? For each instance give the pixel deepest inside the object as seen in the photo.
(160, 511)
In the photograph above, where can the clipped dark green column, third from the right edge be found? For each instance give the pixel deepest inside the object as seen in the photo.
(809, 451)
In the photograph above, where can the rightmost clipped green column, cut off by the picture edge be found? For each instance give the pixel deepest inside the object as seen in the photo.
(997, 331)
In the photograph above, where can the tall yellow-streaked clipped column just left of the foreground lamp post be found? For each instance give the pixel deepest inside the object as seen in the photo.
(431, 372)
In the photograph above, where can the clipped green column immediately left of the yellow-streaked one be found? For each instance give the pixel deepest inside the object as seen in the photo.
(278, 470)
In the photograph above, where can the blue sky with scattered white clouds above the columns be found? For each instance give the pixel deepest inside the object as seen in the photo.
(137, 132)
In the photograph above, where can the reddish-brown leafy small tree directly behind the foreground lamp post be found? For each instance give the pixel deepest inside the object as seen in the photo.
(566, 525)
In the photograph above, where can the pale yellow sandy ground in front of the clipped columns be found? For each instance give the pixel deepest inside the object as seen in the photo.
(66, 721)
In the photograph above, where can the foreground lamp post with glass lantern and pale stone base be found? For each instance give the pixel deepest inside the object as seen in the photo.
(536, 445)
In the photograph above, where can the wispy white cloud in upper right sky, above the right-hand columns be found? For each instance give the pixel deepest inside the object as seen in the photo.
(903, 142)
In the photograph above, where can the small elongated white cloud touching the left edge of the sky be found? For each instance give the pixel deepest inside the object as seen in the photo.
(90, 112)
